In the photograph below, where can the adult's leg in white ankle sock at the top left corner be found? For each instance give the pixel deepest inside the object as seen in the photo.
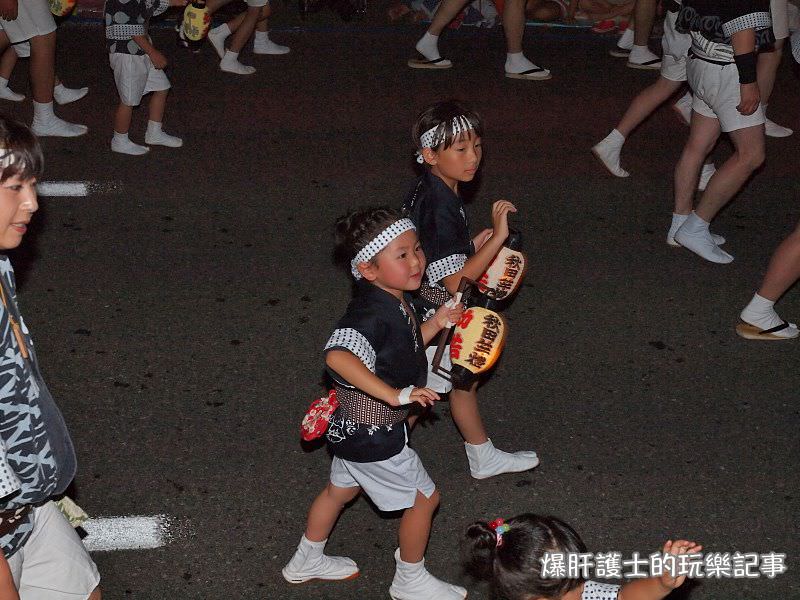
(45, 122)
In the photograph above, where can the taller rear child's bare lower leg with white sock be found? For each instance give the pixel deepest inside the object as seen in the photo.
(484, 459)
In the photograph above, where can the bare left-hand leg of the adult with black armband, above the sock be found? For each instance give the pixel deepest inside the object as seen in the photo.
(703, 134)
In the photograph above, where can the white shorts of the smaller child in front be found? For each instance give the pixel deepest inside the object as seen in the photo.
(392, 484)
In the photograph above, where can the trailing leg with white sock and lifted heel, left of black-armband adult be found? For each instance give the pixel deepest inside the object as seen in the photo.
(643, 105)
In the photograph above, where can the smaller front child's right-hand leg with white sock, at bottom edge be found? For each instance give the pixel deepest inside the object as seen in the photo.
(411, 578)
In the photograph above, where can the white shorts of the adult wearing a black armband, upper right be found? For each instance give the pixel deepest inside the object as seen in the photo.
(716, 95)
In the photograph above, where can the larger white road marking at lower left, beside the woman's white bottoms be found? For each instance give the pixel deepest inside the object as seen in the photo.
(126, 533)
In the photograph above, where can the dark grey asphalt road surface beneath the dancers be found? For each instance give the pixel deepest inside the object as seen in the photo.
(180, 311)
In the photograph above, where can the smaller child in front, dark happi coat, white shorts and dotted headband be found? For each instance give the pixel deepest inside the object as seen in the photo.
(376, 358)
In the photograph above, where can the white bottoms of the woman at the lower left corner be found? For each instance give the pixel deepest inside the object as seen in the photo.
(53, 564)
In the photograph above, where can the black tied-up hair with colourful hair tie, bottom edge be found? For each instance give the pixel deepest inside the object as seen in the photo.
(514, 568)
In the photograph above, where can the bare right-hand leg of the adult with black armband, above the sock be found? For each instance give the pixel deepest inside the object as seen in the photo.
(732, 175)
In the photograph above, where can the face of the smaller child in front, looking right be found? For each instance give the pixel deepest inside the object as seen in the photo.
(400, 266)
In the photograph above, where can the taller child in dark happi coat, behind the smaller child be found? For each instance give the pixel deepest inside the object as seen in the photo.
(448, 138)
